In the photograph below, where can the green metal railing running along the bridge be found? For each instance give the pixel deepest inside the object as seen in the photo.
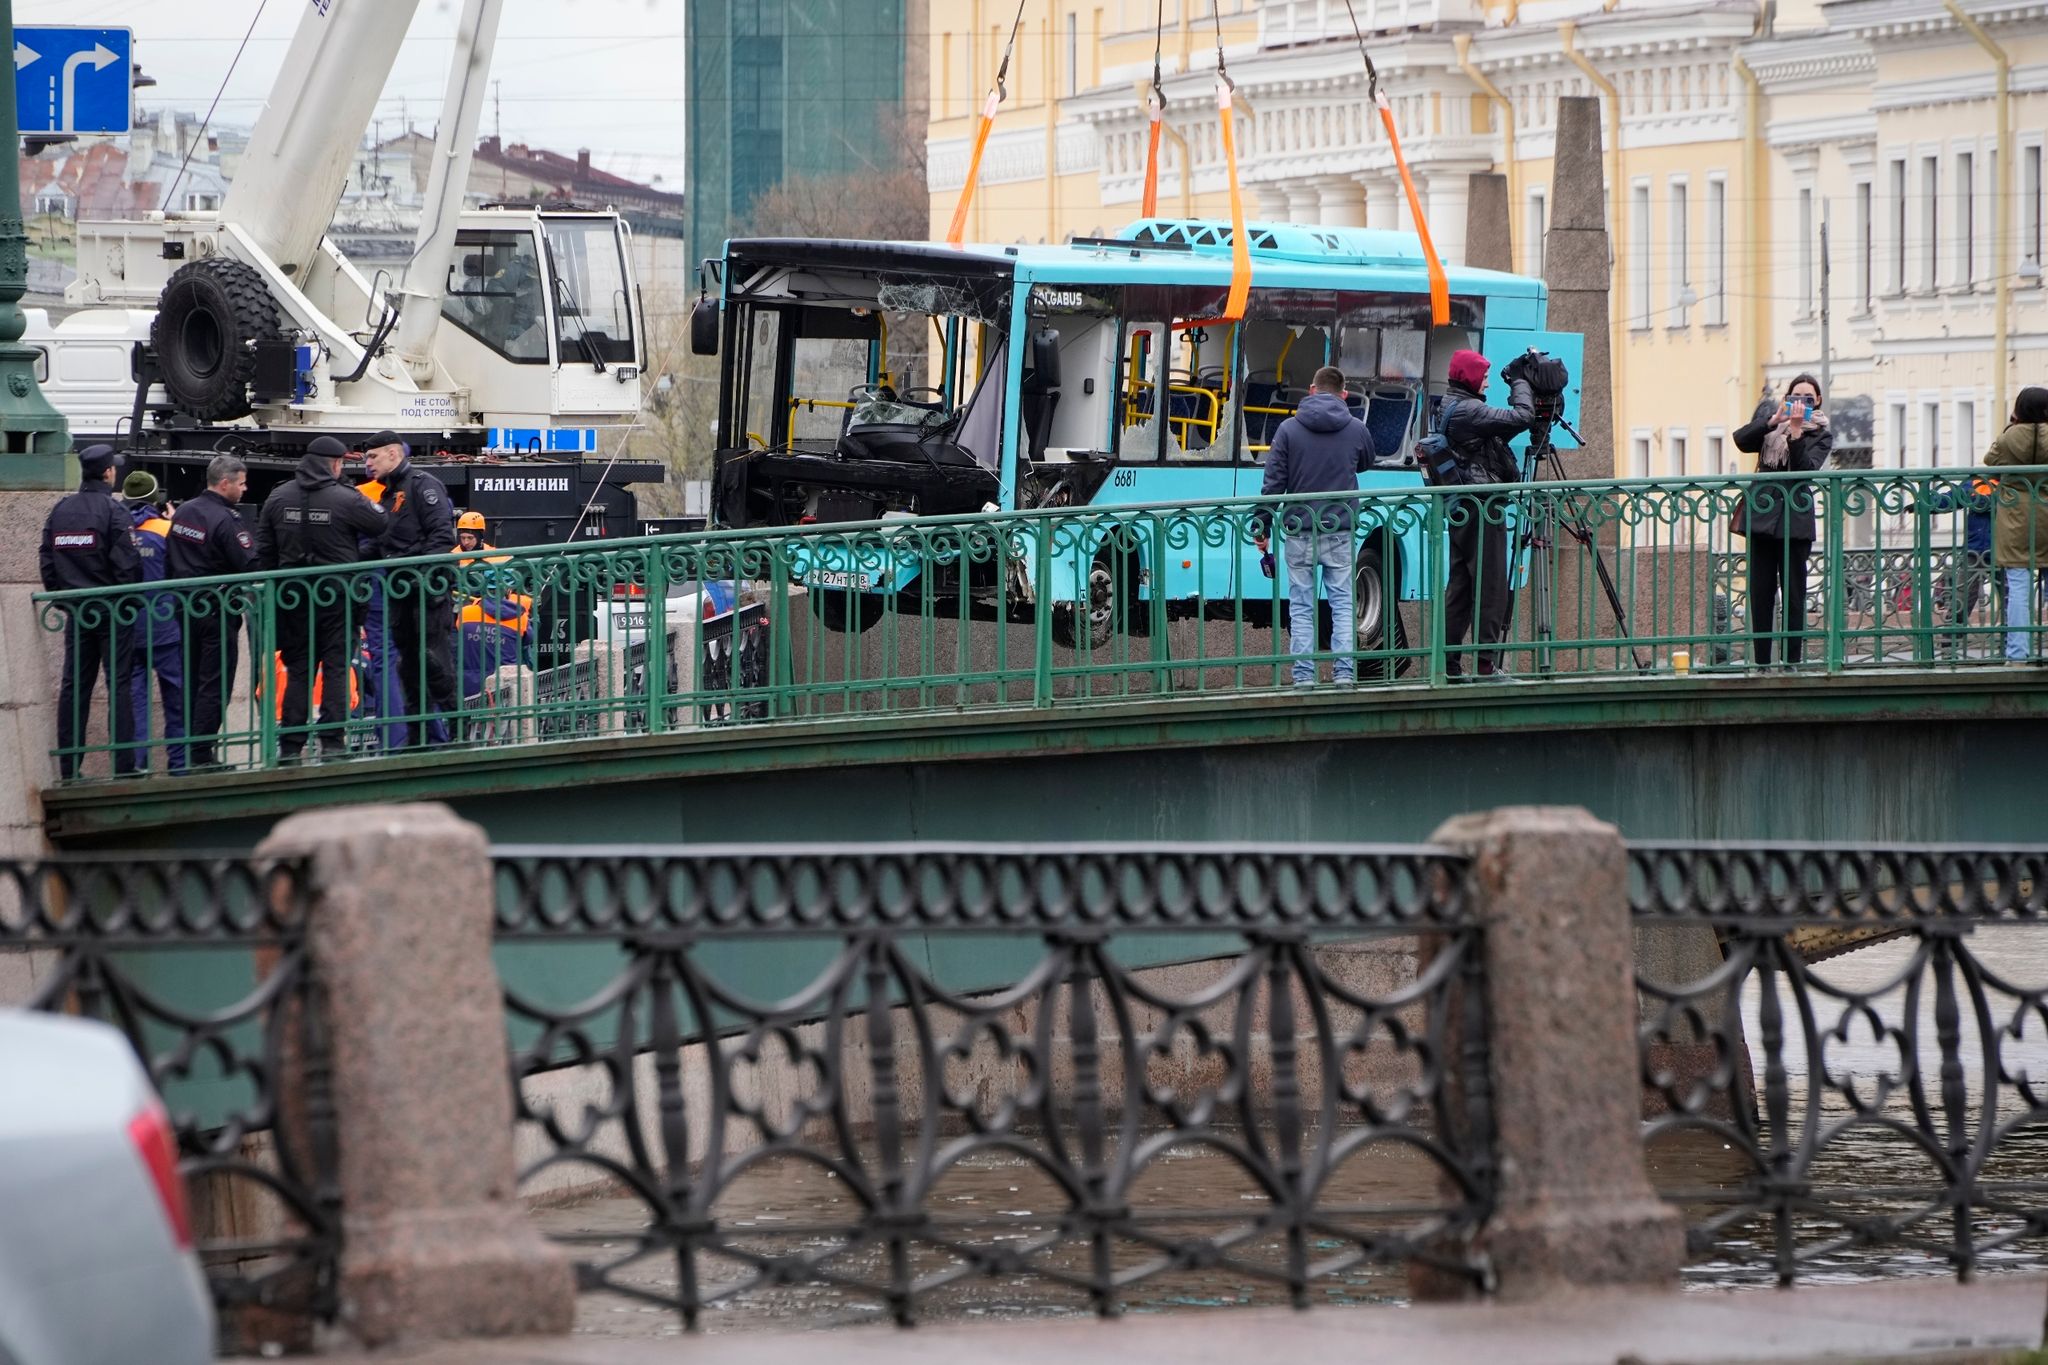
(1050, 609)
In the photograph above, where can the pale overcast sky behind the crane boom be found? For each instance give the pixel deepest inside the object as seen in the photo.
(603, 75)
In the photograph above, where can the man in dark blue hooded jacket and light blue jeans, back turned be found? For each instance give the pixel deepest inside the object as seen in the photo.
(1322, 449)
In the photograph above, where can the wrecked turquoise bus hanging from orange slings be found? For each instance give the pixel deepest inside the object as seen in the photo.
(878, 382)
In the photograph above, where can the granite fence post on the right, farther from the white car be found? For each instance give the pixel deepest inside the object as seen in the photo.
(1576, 1204)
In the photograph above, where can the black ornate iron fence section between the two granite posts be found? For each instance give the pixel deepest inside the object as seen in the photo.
(857, 1030)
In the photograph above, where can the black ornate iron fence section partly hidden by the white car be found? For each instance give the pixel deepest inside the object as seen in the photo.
(202, 963)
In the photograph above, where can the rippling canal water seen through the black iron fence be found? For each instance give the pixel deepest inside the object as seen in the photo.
(1867, 1168)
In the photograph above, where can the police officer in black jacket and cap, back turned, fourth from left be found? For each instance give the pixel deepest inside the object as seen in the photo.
(314, 521)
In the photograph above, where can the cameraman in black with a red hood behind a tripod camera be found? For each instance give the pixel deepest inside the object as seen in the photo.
(1478, 441)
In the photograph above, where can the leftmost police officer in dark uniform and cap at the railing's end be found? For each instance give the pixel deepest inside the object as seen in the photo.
(89, 541)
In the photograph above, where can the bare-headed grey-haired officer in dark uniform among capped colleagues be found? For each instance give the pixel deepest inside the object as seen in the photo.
(208, 539)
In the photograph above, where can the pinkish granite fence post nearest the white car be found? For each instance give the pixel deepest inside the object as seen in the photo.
(435, 1241)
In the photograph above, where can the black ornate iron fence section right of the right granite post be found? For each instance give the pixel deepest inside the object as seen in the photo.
(1900, 1098)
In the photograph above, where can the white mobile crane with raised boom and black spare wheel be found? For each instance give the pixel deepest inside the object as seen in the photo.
(513, 335)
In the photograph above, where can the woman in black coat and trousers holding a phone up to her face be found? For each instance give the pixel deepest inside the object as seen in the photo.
(1779, 519)
